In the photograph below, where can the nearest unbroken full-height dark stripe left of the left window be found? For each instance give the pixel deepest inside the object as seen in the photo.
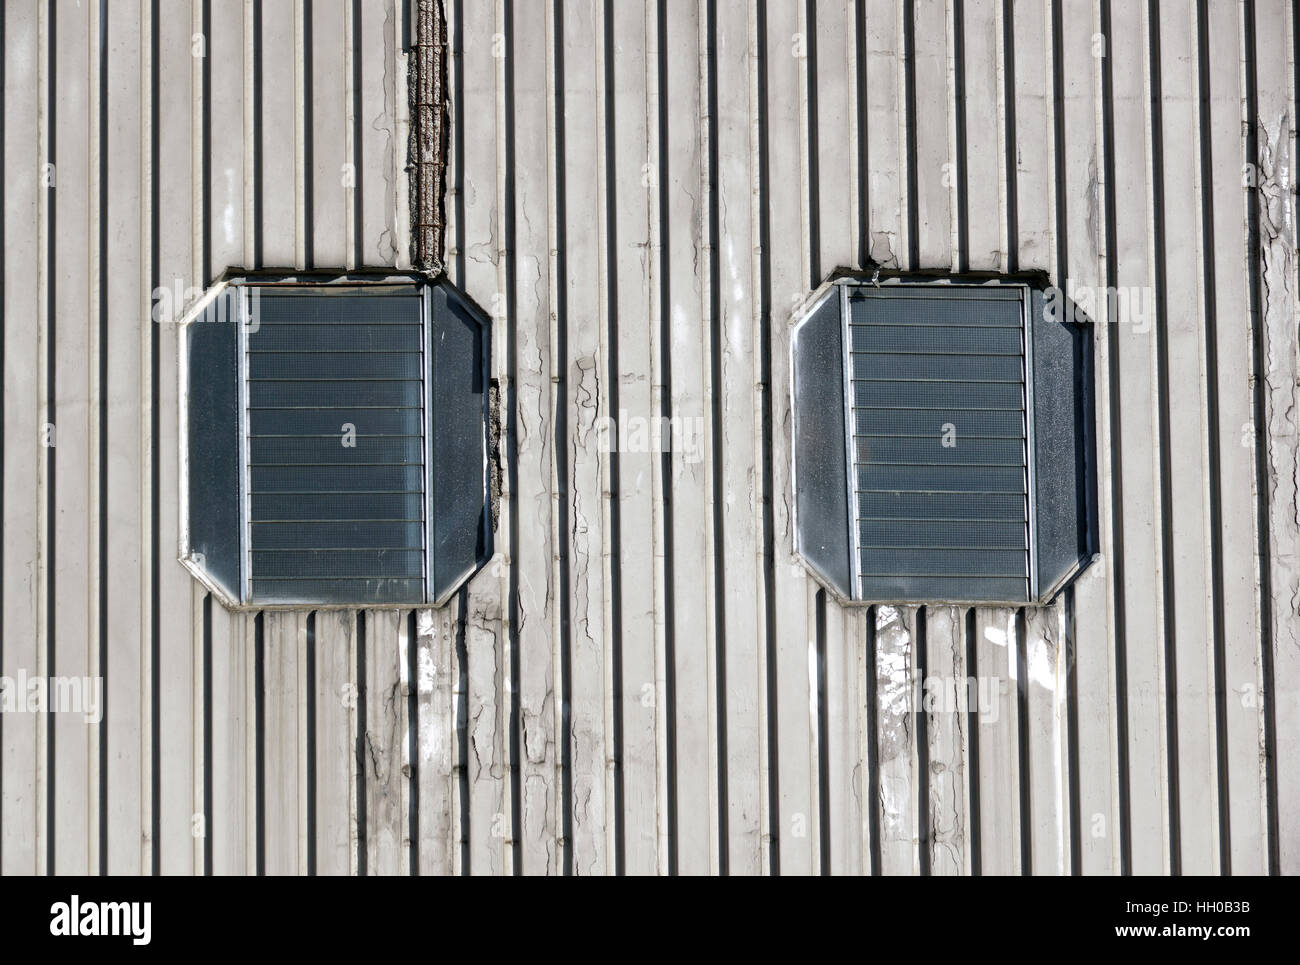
(155, 460)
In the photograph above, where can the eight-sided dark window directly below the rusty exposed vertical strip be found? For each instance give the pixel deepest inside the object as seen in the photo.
(335, 440)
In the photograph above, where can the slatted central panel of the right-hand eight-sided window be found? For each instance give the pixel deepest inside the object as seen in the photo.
(939, 443)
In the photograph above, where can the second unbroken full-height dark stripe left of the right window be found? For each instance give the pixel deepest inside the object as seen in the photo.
(716, 362)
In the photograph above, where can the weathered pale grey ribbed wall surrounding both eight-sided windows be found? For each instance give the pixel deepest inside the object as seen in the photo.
(644, 680)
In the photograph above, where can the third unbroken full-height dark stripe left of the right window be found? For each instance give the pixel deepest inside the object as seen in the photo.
(670, 644)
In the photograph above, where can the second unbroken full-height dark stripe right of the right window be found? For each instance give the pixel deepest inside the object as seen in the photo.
(1167, 500)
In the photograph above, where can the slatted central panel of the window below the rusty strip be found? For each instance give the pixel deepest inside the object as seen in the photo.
(335, 448)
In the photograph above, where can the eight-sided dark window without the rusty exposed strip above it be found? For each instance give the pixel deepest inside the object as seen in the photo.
(944, 440)
